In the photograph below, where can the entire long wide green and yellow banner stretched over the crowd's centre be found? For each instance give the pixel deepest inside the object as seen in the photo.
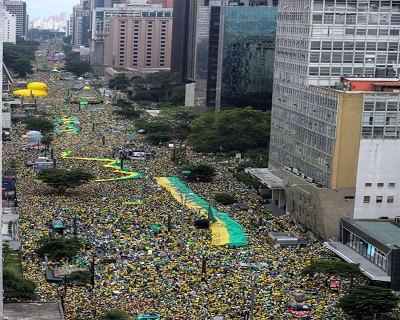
(224, 230)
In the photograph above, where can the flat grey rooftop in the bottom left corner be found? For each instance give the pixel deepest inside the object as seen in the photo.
(33, 311)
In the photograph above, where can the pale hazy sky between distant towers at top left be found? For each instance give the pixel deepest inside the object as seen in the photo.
(45, 8)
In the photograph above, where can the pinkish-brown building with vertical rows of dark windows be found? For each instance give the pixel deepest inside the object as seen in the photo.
(142, 43)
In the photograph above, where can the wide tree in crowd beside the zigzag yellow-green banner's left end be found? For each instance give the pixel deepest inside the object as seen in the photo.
(61, 179)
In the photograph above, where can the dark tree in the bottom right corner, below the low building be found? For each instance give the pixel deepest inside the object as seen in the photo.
(363, 301)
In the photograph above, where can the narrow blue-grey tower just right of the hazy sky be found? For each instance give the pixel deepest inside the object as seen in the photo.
(81, 24)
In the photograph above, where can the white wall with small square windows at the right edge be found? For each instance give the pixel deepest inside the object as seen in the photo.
(378, 163)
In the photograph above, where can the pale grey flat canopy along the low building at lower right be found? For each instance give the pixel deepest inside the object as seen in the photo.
(371, 270)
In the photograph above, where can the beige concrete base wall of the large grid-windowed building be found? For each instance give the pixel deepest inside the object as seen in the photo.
(317, 209)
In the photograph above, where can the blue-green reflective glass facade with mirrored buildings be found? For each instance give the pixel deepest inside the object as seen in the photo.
(248, 56)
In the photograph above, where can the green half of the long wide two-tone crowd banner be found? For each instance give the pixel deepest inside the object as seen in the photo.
(237, 236)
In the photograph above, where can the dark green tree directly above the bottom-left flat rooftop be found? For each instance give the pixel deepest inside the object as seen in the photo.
(16, 288)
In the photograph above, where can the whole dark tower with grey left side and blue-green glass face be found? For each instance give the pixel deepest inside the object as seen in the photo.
(235, 46)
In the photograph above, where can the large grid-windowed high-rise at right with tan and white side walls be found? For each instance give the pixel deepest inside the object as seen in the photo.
(335, 129)
